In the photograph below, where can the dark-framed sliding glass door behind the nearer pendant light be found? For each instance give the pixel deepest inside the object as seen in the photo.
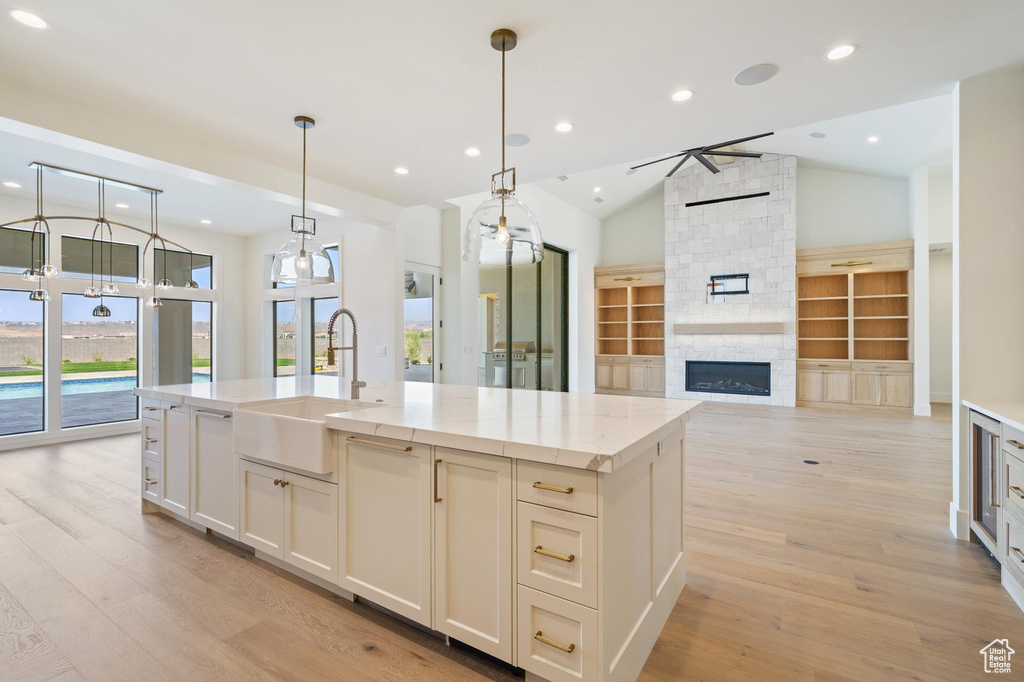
(537, 355)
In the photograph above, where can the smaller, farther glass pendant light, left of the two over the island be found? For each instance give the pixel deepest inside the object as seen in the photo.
(303, 260)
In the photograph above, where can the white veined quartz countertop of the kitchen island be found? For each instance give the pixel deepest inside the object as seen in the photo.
(581, 431)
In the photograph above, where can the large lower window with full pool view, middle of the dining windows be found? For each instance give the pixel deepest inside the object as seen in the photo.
(99, 361)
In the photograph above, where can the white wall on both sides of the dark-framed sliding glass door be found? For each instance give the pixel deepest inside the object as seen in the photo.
(563, 226)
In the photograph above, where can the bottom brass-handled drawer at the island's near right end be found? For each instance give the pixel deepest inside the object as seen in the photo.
(558, 640)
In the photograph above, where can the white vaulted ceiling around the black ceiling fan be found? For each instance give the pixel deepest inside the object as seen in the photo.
(910, 136)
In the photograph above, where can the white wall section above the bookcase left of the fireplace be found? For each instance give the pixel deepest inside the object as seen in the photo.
(635, 235)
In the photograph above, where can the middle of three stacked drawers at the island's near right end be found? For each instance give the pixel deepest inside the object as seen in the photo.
(558, 553)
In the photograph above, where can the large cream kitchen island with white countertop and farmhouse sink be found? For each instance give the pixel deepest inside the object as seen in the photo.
(543, 529)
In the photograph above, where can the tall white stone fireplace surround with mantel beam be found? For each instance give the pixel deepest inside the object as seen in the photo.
(754, 236)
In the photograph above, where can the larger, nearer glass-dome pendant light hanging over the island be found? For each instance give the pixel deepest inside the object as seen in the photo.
(503, 231)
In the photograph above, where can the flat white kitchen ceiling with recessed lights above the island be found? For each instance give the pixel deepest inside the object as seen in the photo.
(414, 84)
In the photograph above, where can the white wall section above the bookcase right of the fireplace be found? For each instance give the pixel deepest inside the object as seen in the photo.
(835, 208)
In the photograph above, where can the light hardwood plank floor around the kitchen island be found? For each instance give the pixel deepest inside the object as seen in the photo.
(830, 573)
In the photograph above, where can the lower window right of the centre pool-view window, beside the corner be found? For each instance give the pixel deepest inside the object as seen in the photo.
(184, 343)
